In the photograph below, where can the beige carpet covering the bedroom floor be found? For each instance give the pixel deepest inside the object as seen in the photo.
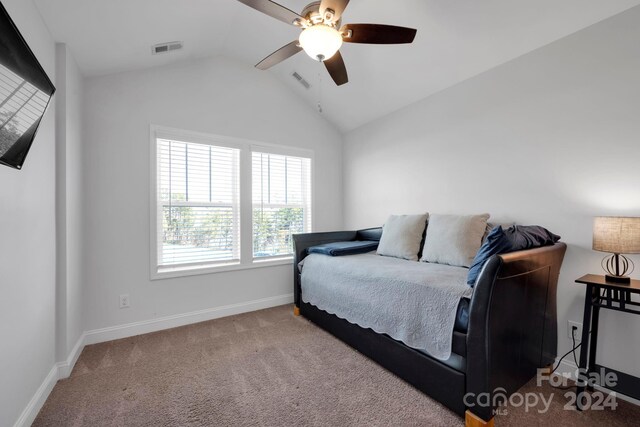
(265, 368)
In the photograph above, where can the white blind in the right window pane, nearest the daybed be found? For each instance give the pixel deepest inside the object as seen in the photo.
(281, 202)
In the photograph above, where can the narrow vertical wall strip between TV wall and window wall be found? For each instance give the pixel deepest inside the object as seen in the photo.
(69, 82)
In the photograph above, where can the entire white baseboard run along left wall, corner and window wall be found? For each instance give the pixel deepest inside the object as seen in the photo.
(63, 369)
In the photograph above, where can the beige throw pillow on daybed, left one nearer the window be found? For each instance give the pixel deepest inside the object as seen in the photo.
(402, 235)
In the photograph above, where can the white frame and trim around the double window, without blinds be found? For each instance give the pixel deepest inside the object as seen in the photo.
(246, 147)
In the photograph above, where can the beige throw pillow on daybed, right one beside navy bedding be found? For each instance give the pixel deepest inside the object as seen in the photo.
(454, 239)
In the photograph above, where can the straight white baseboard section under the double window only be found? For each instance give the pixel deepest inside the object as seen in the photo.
(152, 325)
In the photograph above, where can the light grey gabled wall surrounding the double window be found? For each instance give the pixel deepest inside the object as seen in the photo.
(217, 96)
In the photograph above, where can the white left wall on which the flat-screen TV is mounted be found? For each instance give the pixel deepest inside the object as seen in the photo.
(27, 246)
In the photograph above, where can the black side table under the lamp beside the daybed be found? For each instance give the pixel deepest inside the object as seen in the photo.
(611, 296)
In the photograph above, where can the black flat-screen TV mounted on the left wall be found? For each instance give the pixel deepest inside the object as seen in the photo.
(25, 92)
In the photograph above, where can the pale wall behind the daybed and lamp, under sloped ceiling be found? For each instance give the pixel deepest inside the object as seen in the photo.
(551, 138)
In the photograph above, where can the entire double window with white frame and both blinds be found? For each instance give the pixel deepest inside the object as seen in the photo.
(221, 204)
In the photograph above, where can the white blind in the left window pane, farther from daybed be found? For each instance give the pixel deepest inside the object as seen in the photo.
(198, 207)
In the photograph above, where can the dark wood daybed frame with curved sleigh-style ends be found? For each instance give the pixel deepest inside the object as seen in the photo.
(512, 329)
